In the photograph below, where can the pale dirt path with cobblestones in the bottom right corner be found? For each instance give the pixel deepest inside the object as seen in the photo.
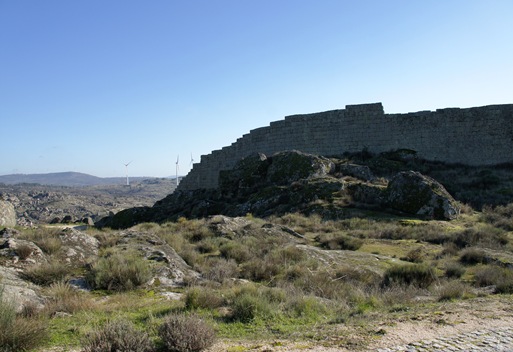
(480, 324)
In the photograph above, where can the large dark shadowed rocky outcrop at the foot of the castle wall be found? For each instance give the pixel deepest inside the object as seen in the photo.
(293, 181)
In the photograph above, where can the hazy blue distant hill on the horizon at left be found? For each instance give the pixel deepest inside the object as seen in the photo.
(71, 179)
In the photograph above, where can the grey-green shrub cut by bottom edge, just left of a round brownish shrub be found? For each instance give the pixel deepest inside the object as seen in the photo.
(117, 336)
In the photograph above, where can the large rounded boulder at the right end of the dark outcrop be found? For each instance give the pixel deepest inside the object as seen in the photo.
(414, 193)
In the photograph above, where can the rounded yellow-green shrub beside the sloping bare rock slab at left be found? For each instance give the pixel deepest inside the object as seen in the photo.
(119, 272)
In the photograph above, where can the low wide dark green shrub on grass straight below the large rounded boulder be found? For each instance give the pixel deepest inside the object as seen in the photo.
(417, 275)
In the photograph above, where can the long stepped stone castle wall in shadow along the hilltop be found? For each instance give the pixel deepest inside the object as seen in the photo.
(473, 136)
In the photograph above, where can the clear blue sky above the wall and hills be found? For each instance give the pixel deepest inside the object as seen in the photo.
(89, 85)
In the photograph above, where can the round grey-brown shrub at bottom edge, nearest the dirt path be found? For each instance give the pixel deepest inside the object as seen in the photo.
(180, 333)
